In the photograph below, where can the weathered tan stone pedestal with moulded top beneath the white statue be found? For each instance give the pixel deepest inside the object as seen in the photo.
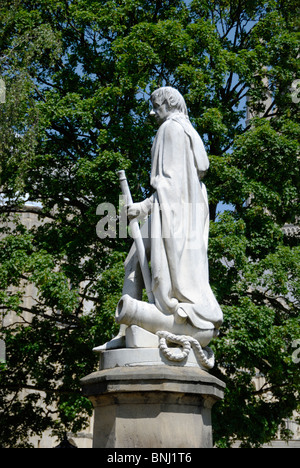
(151, 404)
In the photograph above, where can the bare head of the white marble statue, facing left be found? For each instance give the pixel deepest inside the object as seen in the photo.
(165, 101)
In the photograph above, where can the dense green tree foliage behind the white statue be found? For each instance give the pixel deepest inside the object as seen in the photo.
(78, 77)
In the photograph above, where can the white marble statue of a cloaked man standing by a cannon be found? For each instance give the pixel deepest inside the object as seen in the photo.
(175, 235)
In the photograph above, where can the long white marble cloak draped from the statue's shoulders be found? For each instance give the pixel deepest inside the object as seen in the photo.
(180, 224)
